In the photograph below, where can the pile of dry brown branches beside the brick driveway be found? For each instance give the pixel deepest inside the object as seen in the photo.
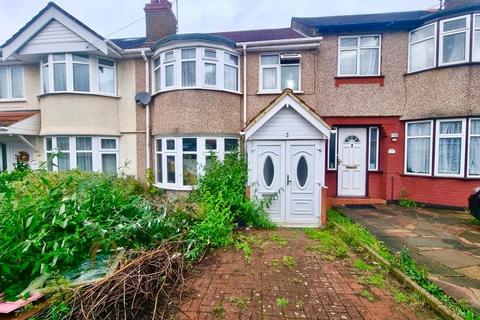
(142, 288)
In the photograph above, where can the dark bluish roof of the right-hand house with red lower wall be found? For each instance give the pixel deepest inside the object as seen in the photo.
(383, 20)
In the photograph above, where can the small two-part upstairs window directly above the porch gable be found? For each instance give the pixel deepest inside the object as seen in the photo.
(278, 72)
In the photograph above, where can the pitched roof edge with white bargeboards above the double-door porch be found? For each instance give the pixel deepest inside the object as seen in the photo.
(290, 100)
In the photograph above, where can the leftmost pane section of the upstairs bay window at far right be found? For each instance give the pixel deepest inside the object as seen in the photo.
(422, 48)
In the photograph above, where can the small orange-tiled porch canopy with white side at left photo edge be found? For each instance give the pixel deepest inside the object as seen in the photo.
(20, 123)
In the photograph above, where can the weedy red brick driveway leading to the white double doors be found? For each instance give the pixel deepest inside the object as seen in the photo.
(226, 286)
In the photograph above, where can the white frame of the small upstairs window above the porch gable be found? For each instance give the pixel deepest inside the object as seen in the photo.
(278, 67)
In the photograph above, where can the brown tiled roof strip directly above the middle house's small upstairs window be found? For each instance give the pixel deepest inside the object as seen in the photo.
(261, 34)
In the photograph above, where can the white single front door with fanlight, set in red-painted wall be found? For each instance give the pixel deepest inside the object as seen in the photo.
(352, 162)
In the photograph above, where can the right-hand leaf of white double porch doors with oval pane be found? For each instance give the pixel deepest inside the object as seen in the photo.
(304, 180)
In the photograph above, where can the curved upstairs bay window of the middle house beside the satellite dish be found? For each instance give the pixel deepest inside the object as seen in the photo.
(196, 68)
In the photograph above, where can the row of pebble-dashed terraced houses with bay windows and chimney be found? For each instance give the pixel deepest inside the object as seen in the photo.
(350, 108)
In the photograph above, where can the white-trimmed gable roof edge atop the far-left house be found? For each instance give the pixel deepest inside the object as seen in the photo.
(51, 12)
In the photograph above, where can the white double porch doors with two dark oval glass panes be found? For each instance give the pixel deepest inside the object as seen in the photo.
(290, 171)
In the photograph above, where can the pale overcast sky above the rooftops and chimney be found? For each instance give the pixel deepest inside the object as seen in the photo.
(108, 16)
